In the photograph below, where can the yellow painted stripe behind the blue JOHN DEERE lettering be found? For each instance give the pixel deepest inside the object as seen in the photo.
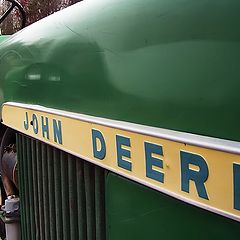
(77, 139)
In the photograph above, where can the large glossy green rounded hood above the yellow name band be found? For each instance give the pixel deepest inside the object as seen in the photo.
(166, 63)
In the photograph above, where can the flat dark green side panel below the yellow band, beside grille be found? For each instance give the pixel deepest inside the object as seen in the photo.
(137, 212)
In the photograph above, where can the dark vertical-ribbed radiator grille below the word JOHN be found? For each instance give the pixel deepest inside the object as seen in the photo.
(62, 196)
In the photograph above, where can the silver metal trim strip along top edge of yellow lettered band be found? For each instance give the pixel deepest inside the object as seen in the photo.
(187, 138)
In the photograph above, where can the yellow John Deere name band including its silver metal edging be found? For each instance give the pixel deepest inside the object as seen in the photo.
(76, 138)
